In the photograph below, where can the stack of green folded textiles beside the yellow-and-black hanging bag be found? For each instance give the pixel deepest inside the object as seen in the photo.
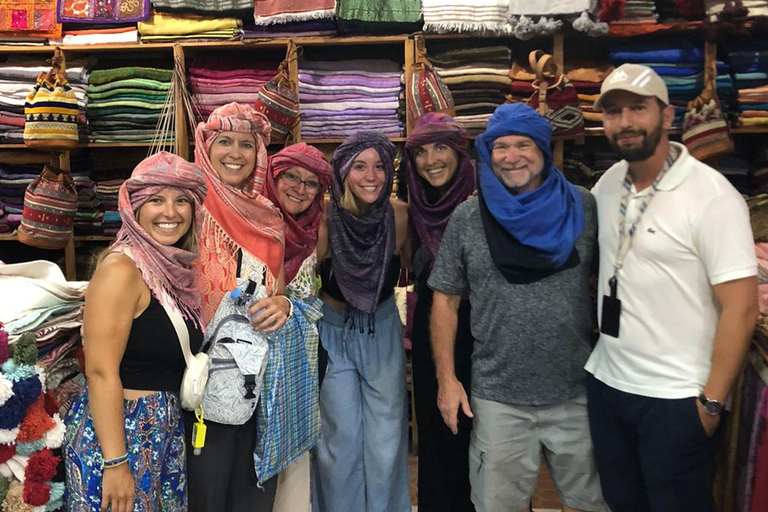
(125, 103)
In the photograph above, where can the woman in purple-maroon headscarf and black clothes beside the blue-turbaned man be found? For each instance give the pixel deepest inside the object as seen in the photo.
(440, 177)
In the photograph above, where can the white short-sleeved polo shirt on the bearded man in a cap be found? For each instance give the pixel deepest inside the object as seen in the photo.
(694, 234)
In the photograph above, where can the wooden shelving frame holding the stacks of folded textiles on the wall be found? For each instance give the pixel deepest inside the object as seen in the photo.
(402, 46)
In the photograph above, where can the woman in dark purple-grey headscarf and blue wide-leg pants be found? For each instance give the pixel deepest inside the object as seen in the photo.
(361, 462)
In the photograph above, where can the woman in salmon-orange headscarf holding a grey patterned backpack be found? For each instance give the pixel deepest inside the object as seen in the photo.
(242, 236)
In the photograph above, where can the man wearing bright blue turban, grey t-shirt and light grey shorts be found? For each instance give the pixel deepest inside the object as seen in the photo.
(524, 250)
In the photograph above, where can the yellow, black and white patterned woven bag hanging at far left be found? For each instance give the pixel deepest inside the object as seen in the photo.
(51, 110)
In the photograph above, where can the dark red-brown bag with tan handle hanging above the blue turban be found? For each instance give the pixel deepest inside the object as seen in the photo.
(555, 97)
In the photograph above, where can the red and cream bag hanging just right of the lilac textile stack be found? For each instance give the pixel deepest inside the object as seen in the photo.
(426, 91)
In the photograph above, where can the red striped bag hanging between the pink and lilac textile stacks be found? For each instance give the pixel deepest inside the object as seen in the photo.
(279, 98)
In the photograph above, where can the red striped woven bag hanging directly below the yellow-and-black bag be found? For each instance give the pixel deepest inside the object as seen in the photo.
(50, 203)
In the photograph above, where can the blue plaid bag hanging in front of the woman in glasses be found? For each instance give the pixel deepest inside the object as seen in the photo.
(289, 414)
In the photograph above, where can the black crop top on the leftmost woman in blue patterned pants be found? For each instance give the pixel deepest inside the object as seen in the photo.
(153, 360)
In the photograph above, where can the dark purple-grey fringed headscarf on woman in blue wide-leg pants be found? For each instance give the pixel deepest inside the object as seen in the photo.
(361, 247)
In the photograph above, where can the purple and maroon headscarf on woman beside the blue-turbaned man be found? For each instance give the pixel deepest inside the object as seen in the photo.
(427, 220)
